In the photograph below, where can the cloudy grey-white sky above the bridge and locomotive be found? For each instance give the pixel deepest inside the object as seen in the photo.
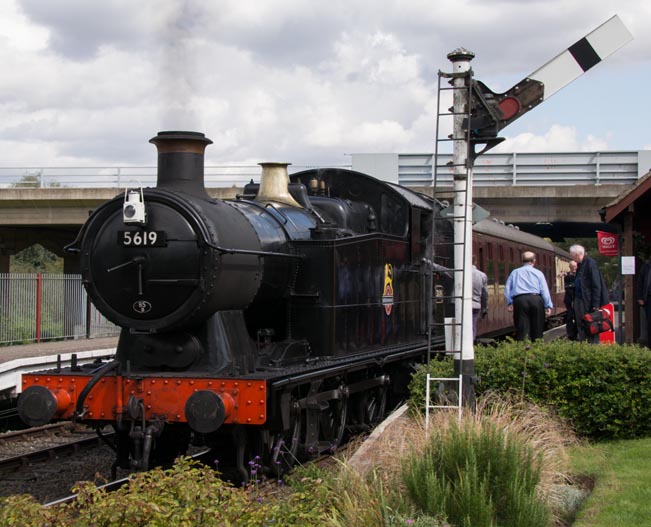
(304, 81)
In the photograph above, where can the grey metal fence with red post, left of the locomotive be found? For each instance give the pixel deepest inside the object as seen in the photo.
(39, 307)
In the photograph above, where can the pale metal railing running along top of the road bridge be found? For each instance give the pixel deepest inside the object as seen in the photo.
(507, 169)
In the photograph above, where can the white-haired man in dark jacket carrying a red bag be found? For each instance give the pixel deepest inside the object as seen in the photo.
(590, 292)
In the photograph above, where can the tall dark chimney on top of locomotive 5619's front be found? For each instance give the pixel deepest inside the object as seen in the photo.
(181, 161)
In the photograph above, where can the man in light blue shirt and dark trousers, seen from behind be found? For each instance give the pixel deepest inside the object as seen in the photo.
(527, 296)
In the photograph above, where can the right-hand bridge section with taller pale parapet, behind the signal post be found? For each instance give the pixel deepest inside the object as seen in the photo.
(556, 195)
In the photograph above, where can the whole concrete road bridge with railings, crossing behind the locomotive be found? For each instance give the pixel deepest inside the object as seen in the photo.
(551, 194)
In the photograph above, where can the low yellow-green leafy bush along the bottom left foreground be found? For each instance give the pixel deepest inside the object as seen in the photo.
(185, 495)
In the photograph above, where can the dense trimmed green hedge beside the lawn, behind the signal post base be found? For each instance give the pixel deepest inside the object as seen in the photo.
(604, 391)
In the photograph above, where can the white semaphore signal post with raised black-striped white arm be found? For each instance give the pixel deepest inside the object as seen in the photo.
(479, 114)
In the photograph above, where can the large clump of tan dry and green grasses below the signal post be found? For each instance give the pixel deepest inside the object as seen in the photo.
(502, 463)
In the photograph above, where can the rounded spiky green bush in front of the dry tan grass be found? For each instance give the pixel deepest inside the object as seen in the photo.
(478, 476)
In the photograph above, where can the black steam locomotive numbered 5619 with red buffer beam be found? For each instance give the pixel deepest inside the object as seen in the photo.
(268, 325)
